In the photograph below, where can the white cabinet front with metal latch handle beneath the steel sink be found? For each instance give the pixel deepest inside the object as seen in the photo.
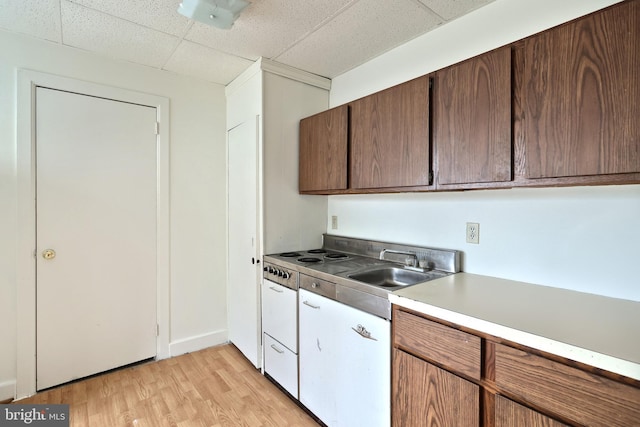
(344, 363)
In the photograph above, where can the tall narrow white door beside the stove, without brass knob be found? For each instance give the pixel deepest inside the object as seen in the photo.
(244, 284)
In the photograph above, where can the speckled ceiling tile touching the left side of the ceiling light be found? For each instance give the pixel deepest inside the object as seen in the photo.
(161, 15)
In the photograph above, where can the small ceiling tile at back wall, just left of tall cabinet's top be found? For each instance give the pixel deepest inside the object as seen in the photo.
(199, 61)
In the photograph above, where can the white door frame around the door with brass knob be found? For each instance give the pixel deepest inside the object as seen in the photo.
(27, 81)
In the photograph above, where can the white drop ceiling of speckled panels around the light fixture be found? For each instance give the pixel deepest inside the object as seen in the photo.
(324, 37)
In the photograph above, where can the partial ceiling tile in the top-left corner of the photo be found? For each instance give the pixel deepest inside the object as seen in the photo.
(37, 18)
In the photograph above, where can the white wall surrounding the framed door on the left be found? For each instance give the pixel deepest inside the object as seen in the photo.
(198, 188)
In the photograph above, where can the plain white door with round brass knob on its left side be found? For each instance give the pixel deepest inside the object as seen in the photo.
(96, 209)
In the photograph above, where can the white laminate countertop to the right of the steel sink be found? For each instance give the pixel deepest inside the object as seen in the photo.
(599, 331)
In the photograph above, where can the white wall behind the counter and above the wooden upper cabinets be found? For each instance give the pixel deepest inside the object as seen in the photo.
(580, 238)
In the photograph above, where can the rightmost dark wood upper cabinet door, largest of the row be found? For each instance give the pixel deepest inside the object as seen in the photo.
(580, 95)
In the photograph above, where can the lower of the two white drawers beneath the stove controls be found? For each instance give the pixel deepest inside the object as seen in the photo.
(281, 364)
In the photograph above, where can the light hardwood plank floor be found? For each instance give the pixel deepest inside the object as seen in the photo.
(212, 387)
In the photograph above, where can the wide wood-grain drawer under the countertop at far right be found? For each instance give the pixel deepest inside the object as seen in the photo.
(572, 393)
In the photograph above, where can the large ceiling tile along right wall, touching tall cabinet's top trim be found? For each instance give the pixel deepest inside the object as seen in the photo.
(360, 33)
